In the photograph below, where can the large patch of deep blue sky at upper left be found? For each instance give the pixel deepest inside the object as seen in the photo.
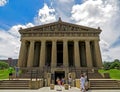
(19, 12)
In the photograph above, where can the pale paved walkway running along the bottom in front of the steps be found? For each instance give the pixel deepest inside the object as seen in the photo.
(47, 89)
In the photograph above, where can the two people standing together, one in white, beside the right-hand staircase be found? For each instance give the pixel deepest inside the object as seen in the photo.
(84, 82)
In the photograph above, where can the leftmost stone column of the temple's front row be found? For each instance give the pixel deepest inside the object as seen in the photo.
(22, 53)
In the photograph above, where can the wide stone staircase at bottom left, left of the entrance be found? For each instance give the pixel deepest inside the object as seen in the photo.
(14, 84)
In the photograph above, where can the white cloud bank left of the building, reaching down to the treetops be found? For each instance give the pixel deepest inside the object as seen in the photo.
(10, 41)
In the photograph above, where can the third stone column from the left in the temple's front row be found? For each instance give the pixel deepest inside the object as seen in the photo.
(42, 54)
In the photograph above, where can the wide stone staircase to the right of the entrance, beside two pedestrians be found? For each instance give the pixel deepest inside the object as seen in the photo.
(104, 84)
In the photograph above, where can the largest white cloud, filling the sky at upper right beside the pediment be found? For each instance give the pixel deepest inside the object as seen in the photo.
(103, 13)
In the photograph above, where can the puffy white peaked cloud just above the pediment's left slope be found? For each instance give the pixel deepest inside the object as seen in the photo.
(45, 15)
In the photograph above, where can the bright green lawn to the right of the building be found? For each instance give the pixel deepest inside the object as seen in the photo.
(114, 73)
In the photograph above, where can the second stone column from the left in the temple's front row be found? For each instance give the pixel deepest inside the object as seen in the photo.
(31, 54)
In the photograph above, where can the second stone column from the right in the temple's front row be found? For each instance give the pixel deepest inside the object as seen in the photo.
(88, 54)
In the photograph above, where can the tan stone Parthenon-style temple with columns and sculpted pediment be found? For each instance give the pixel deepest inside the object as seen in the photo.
(60, 48)
